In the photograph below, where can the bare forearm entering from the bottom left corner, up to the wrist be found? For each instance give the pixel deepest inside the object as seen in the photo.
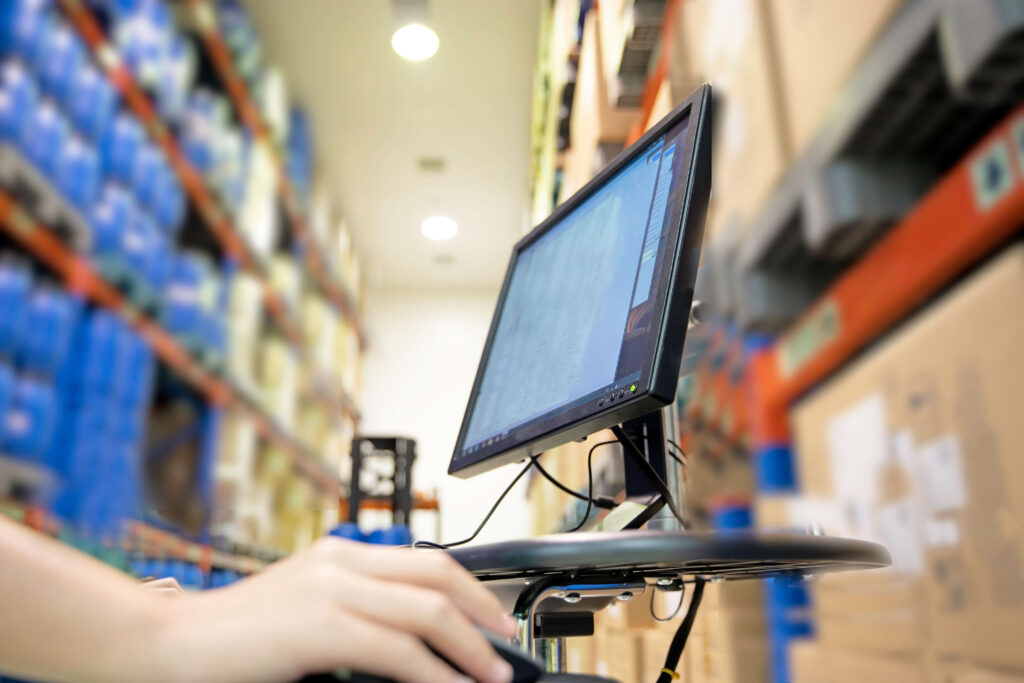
(66, 617)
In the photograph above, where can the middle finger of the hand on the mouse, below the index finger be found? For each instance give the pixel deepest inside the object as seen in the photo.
(435, 618)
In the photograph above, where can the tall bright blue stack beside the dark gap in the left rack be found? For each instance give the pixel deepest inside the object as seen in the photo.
(106, 387)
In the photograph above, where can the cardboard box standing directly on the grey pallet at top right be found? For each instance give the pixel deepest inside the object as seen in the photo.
(820, 47)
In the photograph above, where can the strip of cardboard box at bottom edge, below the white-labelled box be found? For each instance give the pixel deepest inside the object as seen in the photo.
(813, 663)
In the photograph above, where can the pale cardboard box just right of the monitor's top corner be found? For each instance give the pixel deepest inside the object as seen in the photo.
(731, 46)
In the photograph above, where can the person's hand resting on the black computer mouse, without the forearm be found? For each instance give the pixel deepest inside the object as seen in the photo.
(339, 606)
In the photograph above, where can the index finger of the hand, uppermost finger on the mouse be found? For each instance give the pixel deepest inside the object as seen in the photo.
(433, 570)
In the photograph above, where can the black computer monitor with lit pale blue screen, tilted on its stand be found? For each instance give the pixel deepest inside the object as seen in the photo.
(591, 320)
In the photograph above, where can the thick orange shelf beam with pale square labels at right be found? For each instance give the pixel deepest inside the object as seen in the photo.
(977, 207)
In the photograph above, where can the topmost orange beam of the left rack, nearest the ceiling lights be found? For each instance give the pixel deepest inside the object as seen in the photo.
(327, 281)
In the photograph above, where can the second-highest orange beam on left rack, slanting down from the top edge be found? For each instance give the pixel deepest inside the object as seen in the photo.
(201, 196)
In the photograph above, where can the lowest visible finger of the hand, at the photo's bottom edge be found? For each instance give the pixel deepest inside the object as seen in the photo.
(372, 649)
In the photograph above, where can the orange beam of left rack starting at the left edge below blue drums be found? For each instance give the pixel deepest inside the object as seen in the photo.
(82, 279)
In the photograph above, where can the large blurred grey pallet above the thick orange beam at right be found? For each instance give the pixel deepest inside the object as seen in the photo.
(910, 111)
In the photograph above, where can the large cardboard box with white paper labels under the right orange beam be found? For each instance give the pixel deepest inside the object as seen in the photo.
(919, 445)
